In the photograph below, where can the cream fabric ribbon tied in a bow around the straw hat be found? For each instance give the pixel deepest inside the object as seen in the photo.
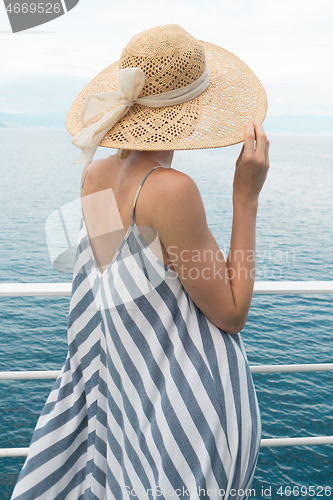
(130, 85)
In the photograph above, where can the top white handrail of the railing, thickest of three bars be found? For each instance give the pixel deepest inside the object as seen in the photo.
(260, 287)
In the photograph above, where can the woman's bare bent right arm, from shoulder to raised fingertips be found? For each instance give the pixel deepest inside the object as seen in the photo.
(221, 289)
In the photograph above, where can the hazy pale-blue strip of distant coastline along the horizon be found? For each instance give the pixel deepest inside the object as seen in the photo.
(283, 124)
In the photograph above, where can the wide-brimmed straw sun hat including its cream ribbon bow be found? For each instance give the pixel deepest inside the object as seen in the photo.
(220, 91)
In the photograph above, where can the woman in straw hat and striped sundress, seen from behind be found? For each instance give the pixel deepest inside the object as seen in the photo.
(156, 399)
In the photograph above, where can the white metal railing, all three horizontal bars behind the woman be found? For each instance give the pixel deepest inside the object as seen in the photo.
(260, 287)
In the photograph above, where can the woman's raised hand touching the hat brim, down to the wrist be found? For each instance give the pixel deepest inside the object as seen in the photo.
(252, 165)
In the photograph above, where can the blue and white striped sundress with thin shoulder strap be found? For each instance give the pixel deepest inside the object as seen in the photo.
(153, 402)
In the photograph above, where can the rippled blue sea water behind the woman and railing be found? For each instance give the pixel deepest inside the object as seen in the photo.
(294, 242)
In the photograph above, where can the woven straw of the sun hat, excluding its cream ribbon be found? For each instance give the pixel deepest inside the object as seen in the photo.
(171, 59)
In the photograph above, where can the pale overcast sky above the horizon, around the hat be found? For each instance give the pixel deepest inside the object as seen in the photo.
(287, 43)
